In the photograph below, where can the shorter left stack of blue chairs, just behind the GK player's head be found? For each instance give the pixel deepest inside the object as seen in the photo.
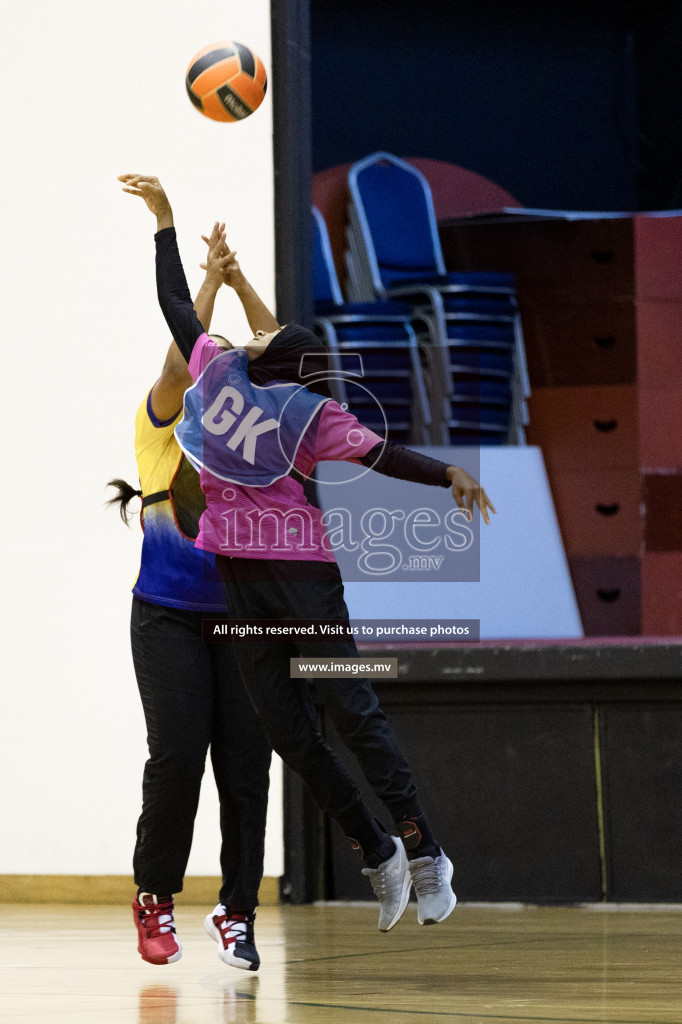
(374, 353)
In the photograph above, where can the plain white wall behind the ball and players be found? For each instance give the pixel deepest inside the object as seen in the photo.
(91, 92)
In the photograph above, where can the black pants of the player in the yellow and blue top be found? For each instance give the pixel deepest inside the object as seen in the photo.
(194, 700)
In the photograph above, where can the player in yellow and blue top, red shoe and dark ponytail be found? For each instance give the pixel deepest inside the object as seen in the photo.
(192, 694)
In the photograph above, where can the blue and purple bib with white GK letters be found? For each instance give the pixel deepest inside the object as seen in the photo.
(240, 432)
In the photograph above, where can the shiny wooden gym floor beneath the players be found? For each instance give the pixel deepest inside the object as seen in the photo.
(329, 965)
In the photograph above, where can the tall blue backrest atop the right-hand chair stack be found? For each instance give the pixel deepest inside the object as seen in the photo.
(396, 212)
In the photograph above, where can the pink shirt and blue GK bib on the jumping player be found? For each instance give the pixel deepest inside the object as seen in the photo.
(284, 432)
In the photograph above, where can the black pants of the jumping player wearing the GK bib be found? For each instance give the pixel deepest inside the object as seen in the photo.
(261, 589)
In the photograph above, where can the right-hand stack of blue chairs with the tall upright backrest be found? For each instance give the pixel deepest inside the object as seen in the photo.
(472, 337)
